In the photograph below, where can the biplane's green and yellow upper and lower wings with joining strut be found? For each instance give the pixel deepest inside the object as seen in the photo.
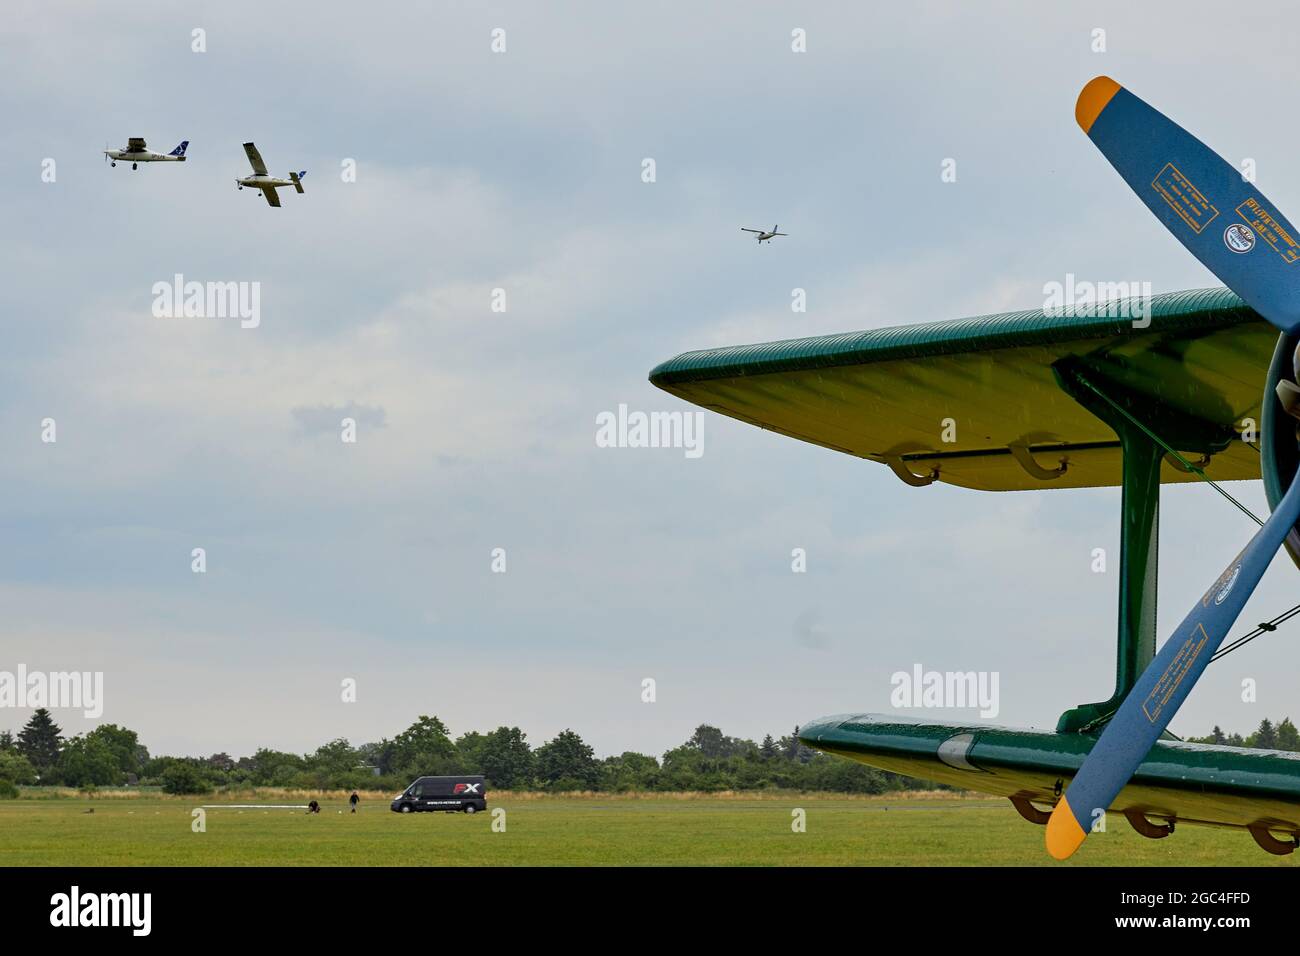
(1030, 400)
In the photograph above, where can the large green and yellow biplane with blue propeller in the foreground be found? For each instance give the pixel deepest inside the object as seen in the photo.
(1182, 387)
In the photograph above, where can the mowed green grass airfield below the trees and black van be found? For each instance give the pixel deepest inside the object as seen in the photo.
(583, 830)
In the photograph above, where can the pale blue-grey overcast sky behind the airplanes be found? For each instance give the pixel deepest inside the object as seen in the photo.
(476, 430)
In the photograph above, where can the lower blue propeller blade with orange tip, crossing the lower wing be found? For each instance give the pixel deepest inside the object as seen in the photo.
(1165, 685)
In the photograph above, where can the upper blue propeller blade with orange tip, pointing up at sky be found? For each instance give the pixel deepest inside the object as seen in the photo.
(1225, 222)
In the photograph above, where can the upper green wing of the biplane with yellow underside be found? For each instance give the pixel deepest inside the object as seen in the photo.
(980, 404)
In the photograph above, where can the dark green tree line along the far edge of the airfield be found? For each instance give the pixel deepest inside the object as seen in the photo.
(112, 756)
